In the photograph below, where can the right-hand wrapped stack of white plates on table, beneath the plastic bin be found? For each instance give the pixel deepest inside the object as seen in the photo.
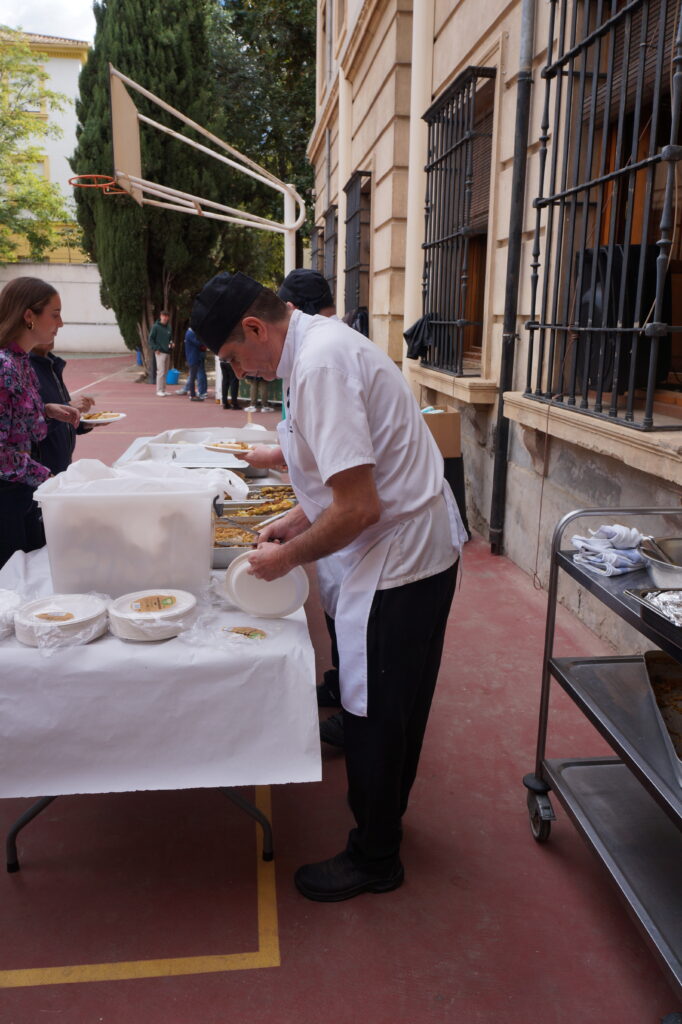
(152, 615)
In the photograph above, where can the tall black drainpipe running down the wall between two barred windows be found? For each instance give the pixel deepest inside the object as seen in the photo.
(501, 449)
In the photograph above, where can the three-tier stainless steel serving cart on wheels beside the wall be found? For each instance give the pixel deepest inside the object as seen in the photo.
(629, 807)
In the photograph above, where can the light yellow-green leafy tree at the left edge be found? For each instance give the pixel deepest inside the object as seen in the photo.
(31, 207)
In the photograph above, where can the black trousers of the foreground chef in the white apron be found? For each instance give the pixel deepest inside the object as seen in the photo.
(405, 639)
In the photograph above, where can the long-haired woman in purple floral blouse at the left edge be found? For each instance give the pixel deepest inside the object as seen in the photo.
(30, 316)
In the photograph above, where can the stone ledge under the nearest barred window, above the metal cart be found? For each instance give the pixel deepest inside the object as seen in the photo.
(656, 452)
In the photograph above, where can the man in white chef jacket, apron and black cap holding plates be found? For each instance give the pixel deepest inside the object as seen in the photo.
(377, 517)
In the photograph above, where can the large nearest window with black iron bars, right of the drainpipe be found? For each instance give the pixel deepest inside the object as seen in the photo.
(602, 337)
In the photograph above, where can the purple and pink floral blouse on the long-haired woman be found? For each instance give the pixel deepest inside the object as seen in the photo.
(22, 419)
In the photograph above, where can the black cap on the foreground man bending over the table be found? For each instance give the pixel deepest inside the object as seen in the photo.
(221, 306)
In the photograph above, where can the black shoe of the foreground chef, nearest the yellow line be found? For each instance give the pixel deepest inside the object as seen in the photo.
(337, 879)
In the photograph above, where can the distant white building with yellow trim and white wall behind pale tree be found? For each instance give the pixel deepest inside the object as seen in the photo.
(89, 326)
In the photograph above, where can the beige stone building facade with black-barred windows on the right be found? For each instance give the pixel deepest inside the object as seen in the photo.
(419, 102)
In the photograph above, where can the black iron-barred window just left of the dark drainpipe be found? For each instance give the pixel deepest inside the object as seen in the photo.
(458, 173)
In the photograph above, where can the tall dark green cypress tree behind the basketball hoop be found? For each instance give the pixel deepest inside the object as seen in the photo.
(149, 259)
